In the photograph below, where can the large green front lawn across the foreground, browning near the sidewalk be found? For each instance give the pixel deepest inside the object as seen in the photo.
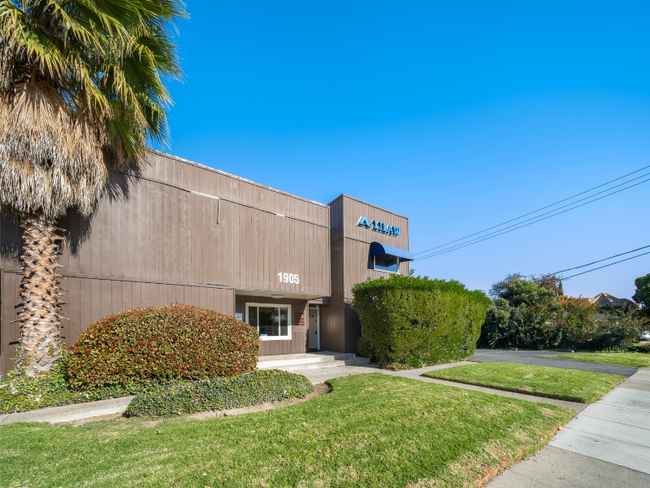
(371, 430)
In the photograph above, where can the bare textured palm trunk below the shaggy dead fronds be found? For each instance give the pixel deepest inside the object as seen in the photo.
(40, 322)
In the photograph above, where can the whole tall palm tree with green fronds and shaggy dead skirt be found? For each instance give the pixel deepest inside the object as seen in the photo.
(81, 87)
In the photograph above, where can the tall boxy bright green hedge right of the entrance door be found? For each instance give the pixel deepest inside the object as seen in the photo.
(416, 322)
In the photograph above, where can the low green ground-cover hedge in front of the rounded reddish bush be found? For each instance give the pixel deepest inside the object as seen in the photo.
(221, 393)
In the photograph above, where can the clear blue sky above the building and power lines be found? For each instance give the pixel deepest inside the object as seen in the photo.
(459, 115)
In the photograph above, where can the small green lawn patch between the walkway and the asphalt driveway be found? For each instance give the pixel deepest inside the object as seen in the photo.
(564, 384)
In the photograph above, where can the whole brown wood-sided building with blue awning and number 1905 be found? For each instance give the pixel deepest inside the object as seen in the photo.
(182, 232)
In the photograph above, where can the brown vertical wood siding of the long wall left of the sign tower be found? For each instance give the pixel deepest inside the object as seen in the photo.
(177, 232)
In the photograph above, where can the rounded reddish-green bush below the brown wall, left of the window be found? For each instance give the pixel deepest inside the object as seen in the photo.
(177, 341)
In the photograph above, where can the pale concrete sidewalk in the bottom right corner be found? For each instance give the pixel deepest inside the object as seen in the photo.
(606, 445)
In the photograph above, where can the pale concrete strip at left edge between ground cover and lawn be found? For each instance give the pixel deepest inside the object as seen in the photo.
(69, 413)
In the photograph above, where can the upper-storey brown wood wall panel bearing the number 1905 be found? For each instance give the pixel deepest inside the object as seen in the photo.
(182, 223)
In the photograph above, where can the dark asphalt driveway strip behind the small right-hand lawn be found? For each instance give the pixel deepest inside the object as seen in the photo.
(541, 358)
